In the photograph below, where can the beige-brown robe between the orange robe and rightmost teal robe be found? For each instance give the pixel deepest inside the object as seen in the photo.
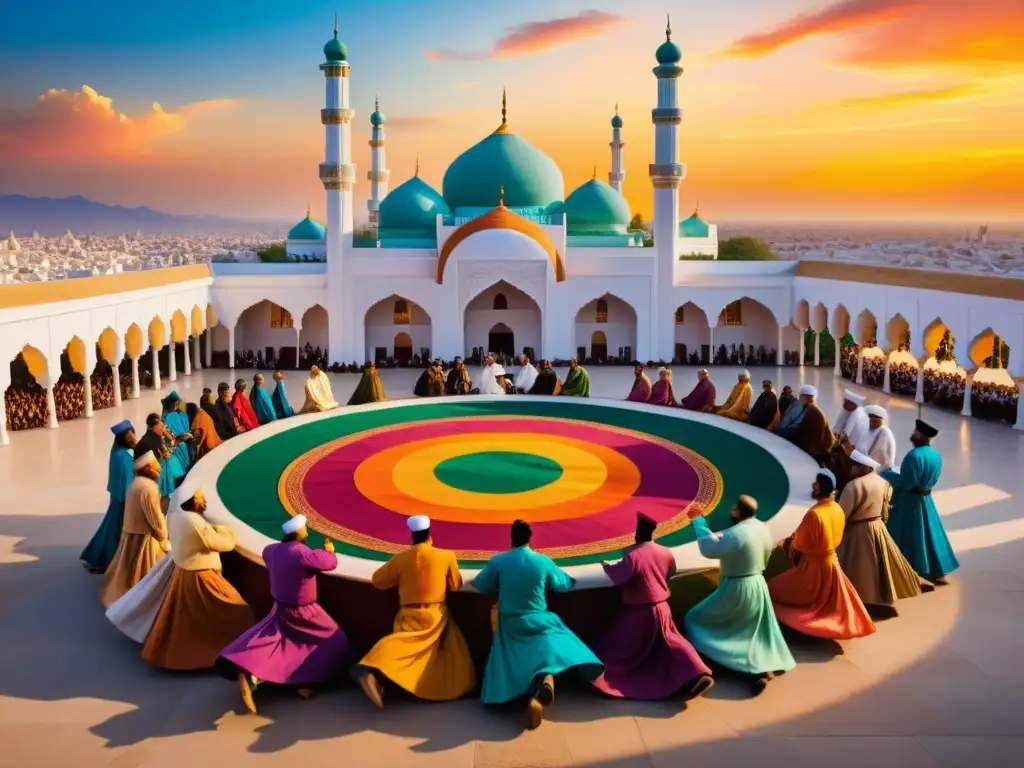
(868, 554)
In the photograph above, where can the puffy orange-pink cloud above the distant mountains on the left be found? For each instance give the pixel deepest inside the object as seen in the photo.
(86, 125)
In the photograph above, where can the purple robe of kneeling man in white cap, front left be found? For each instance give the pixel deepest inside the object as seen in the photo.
(297, 644)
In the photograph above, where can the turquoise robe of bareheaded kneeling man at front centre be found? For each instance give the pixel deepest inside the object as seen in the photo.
(530, 641)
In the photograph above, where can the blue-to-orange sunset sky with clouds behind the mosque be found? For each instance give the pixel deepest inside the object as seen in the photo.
(796, 110)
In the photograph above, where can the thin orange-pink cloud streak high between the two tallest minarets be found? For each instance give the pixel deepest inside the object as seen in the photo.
(536, 37)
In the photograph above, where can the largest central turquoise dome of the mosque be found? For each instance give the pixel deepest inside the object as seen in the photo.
(530, 178)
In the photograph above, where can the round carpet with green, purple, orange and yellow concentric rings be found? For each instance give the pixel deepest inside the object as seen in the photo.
(579, 474)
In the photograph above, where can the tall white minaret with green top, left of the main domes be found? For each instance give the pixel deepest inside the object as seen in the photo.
(338, 175)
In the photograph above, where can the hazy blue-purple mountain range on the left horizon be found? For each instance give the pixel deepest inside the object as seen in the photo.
(50, 217)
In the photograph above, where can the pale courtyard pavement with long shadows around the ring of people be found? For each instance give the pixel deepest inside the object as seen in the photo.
(941, 686)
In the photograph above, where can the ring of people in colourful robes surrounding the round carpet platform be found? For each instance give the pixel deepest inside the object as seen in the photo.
(872, 538)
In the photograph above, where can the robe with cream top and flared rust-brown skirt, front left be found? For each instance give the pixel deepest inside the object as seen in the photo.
(201, 612)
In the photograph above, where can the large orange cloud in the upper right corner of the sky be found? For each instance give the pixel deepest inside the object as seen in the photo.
(885, 34)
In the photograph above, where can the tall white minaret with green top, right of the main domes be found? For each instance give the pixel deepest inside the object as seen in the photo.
(667, 175)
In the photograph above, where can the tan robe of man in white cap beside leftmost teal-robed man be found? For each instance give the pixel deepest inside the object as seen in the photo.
(144, 541)
